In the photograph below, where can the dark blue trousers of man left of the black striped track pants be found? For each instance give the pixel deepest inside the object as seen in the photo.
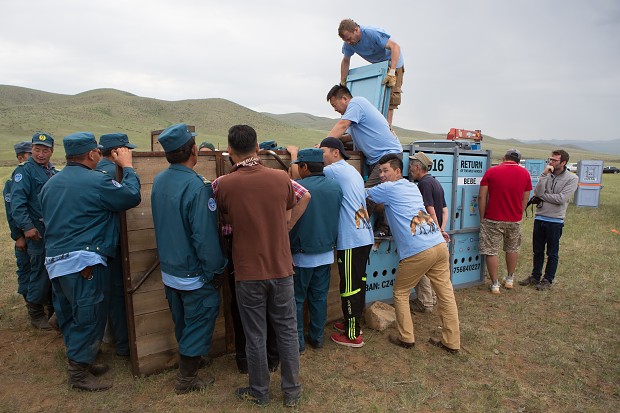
(312, 283)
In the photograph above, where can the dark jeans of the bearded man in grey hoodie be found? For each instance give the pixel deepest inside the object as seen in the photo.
(546, 234)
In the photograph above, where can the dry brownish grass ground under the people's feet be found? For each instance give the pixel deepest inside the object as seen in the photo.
(523, 351)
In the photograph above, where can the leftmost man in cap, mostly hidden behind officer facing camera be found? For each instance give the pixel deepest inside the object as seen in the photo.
(22, 151)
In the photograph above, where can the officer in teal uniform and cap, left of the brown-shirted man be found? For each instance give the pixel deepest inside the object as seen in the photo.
(191, 259)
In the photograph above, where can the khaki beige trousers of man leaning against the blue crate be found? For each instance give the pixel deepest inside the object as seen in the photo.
(435, 263)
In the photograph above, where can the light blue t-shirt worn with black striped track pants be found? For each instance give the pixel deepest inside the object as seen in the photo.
(354, 228)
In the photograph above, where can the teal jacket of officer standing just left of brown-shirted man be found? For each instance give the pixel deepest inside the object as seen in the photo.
(185, 218)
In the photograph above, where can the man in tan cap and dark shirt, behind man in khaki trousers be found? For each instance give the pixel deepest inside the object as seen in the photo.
(435, 204)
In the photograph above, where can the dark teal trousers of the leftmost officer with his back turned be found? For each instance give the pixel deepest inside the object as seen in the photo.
(80, 306)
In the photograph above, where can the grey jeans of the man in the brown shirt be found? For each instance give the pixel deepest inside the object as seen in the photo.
(274, 298)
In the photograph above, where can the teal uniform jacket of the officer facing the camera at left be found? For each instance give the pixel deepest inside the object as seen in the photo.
(28, 180)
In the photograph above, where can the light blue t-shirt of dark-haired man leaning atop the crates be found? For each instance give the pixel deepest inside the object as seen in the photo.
(370, 131)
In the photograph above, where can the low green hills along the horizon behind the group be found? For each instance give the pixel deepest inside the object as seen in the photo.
(24, 111)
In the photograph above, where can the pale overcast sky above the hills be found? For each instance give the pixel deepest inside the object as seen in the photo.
(522, 69)
